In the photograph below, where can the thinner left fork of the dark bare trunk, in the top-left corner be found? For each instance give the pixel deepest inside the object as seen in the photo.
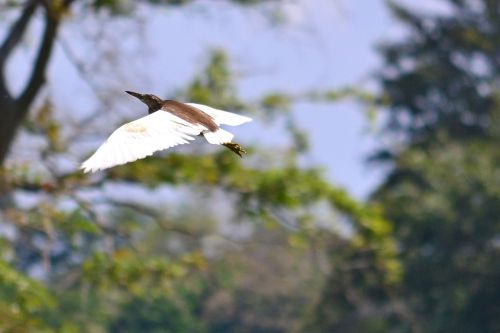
(12, 39)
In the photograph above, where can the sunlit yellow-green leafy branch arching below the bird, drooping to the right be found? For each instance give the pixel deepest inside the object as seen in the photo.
(260, 191)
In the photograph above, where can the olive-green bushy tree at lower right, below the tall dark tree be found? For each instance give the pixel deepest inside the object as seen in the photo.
(449, 236)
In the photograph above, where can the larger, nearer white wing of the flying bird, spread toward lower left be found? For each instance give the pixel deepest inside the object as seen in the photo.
(140, 138)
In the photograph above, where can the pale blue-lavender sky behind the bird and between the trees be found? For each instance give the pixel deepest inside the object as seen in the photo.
(318, 45)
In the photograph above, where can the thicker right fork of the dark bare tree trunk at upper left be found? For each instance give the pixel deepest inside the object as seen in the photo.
(37, 78)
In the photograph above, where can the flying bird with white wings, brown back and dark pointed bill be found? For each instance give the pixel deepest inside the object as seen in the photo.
(169, 123)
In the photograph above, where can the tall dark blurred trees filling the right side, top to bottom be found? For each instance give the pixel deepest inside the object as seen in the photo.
(441, 194)
